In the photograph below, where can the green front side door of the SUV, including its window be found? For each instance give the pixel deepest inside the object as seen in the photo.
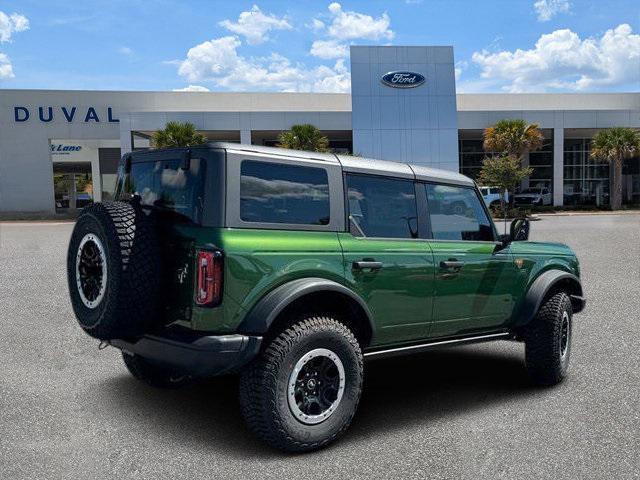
(474, 278)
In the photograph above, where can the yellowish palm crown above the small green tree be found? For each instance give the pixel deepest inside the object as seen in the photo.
(513, 137)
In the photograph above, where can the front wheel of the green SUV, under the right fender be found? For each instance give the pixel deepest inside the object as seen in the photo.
(545, 362)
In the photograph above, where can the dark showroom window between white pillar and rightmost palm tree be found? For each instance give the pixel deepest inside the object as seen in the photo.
(586, 182)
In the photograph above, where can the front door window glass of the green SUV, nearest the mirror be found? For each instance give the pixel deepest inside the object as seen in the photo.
(457, 214)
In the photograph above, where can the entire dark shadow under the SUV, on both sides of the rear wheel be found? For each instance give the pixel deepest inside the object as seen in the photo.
(399, 393)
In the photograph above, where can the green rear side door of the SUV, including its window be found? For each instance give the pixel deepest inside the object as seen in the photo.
(385, 261)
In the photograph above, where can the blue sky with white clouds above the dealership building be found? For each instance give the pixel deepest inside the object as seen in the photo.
(500, 46)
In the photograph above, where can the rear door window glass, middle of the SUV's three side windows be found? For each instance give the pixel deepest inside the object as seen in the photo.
(382, 207)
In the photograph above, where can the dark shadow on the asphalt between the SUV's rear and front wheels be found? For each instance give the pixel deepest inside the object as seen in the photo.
(437, 386)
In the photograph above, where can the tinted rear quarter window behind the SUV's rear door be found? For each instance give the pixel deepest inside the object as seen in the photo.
(278, 193)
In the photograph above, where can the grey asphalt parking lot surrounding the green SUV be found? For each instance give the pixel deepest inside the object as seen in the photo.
(68, 410)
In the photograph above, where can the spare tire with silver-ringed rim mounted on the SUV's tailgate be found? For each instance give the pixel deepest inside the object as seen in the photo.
(113, 270)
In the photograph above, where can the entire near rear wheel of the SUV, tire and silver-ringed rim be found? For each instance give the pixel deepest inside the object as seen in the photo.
(303, 391)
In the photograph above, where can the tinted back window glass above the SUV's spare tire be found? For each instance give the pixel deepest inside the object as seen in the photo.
(165, 185)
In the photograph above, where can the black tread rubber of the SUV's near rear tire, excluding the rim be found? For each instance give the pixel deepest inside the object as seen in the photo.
(264, 385)
